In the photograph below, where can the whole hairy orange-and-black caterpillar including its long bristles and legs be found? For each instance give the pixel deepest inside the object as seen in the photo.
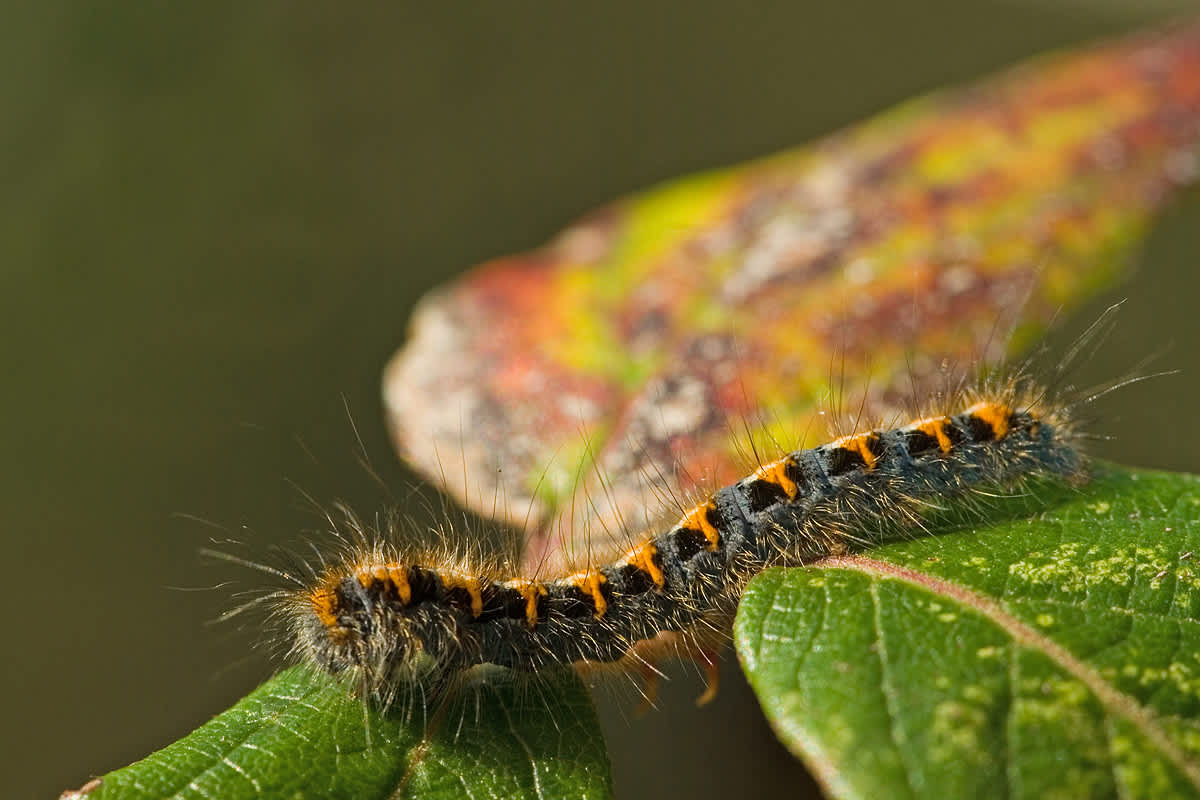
(403, 622)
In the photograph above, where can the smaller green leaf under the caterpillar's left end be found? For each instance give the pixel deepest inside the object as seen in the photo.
(303, 736)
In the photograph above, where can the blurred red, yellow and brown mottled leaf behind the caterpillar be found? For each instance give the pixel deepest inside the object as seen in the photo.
(632, 345)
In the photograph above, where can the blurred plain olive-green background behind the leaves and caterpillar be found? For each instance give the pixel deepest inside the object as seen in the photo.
(217, 219)
